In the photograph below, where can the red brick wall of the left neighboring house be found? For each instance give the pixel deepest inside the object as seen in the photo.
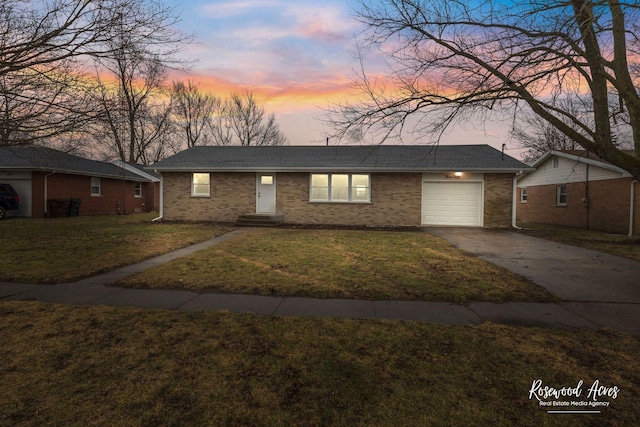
(117, 196)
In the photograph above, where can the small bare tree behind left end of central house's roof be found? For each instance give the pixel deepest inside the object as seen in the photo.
(193, 112)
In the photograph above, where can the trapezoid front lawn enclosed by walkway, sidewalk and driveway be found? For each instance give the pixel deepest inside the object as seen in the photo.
(342, 264)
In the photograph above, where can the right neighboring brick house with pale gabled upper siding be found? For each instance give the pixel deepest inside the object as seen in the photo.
(580, 190)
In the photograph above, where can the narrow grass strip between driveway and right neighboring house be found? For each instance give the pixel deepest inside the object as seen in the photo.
(614, 244)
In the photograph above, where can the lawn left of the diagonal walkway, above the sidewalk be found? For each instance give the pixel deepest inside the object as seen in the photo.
(67, 249)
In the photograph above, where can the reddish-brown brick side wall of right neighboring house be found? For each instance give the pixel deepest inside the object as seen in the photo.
(609, 202)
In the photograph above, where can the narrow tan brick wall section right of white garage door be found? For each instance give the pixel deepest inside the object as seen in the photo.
(498, 196)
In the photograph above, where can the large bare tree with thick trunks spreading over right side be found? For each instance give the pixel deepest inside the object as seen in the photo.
(453, 59)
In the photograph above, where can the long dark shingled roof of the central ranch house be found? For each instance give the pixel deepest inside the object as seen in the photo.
(398, 158)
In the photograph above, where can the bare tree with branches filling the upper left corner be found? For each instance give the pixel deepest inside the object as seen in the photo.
(43, 94)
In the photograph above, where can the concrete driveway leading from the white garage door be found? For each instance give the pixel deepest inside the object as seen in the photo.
(601, 288)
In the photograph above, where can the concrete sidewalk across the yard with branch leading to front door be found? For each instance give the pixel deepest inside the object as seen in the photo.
(576, 315)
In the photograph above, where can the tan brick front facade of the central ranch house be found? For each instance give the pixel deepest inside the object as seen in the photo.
(396, 200)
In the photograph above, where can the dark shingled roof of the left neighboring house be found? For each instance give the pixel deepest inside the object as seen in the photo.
(48, 159)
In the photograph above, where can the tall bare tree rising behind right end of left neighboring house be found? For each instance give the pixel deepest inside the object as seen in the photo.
(143, 45)
